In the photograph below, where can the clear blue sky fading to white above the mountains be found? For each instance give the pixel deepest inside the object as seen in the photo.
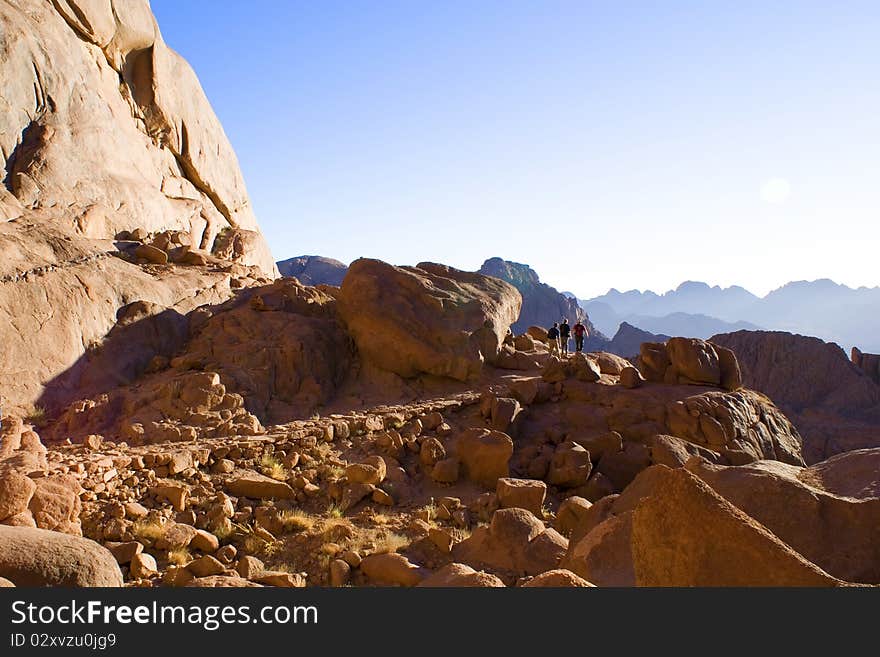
(607, 144)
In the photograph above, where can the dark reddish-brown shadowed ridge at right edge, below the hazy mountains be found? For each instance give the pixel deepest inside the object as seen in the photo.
(834, 404)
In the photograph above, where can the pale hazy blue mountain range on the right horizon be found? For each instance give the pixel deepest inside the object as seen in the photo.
(821, 308)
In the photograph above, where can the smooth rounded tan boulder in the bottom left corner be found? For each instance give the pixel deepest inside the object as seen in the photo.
(39, 557)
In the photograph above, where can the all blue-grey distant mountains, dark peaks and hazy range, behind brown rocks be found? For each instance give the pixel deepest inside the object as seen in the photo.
(820, 308)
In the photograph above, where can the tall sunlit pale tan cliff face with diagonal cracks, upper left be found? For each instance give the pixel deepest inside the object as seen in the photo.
(106, 121)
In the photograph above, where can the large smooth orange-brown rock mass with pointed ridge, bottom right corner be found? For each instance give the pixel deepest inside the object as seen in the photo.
(672, 528)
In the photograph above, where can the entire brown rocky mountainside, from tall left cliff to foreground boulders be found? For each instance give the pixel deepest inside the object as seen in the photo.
(175, 414)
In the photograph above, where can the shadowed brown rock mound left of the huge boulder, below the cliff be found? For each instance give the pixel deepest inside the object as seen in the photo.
(272, 353)
